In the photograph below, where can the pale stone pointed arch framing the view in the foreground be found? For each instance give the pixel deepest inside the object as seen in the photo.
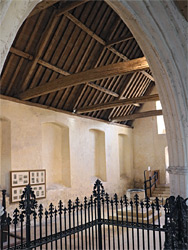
(165, 50)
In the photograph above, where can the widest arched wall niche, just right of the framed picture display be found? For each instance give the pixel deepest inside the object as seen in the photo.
(56, 154)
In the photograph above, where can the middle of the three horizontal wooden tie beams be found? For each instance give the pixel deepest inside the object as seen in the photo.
(128, 101)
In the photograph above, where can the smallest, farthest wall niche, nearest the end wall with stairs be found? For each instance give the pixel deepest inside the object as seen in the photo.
(124, 156)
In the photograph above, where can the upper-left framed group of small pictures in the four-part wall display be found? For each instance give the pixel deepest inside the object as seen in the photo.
(19, 178)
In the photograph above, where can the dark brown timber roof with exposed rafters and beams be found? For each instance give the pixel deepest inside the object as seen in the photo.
(78, 56)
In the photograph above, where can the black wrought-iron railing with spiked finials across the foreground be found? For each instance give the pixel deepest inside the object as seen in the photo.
(100, 222)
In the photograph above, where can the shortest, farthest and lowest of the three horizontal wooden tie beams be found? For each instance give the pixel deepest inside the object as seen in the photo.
(137, 116)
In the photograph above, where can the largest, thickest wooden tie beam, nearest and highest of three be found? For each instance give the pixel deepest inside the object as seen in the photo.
(86, 76)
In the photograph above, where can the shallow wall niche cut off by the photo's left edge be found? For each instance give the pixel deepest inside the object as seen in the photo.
(5, 153)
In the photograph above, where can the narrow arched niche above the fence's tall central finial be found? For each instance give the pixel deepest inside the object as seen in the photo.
(99, 152)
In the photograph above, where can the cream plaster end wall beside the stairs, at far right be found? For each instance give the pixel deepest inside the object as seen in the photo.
(149, 146)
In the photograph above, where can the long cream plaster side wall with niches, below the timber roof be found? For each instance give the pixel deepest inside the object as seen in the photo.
(29, 139)
